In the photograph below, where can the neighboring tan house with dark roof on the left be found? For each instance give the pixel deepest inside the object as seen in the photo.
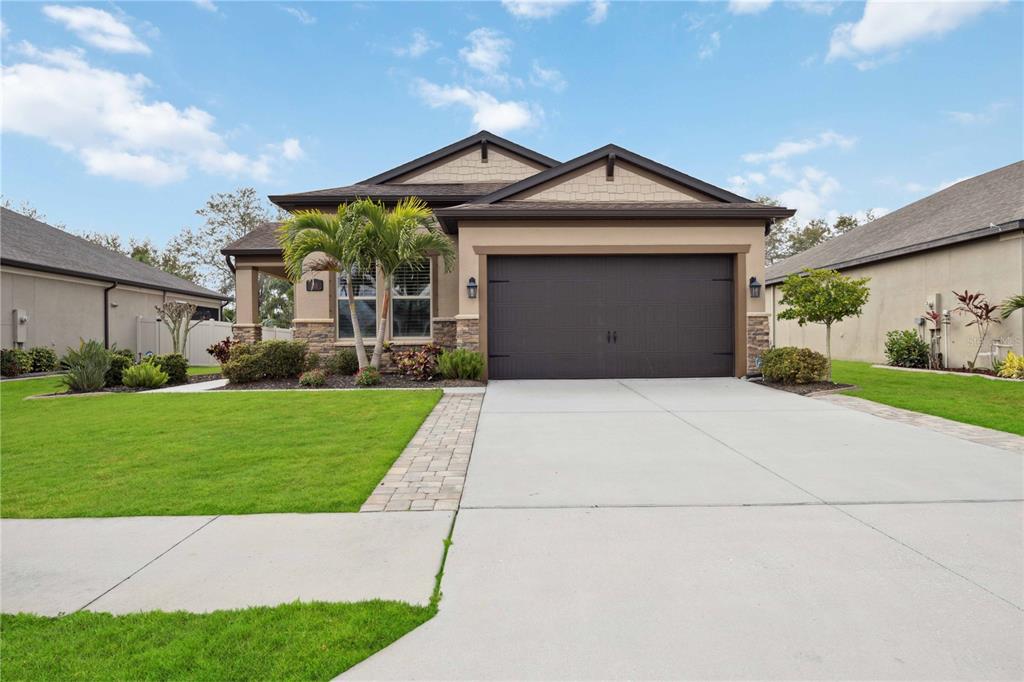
(58, 288)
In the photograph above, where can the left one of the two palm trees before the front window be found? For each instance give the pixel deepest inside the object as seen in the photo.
(338, 241)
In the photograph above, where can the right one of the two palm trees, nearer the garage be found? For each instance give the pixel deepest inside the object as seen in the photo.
(403, 237)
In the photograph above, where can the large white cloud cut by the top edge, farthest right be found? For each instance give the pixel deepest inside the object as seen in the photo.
(887, 27)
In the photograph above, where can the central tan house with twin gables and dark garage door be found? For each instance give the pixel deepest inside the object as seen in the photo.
(608, 266)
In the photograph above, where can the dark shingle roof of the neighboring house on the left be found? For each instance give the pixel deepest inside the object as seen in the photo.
(33, 245)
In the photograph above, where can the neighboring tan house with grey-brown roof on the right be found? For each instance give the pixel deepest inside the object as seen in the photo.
(966, 237)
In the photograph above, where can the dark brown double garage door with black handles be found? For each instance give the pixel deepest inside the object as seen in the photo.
(610, 317)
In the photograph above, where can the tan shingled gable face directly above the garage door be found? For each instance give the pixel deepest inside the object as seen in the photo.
(629, 184)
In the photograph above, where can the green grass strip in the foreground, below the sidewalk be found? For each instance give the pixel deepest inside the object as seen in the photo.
(311, 642)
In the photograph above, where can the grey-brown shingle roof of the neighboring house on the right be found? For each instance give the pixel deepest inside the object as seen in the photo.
(983, 206)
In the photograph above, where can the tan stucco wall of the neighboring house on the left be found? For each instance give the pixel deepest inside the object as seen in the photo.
(64, 310)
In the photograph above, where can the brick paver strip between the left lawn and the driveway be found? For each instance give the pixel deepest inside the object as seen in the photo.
(432, 472)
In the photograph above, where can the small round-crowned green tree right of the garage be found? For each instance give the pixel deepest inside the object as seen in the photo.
(824, 297)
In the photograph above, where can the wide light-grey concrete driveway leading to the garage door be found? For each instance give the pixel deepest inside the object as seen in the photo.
(715, 529)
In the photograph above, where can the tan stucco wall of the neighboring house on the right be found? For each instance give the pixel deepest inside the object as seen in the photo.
(901, 290)
